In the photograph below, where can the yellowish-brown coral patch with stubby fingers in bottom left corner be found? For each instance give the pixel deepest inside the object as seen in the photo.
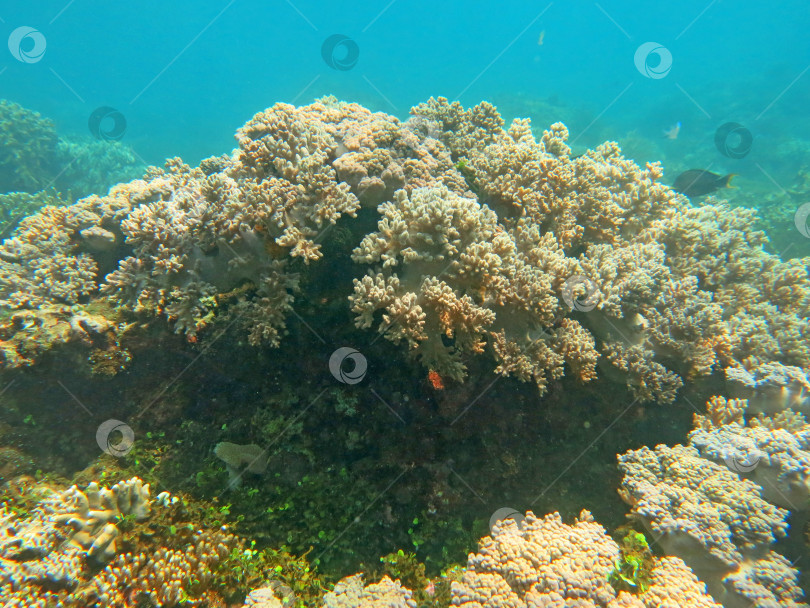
(66, 551)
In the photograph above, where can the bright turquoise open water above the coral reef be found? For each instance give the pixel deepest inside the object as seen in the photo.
(187, 74)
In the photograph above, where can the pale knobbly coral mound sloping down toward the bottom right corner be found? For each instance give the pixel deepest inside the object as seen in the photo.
(714, 520)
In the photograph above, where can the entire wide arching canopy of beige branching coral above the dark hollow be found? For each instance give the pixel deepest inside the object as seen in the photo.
(487, 241)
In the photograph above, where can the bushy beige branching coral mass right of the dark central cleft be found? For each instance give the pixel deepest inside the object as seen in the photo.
(595, 233)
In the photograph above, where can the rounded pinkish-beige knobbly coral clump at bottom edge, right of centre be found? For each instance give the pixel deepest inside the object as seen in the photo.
(544, 562)
